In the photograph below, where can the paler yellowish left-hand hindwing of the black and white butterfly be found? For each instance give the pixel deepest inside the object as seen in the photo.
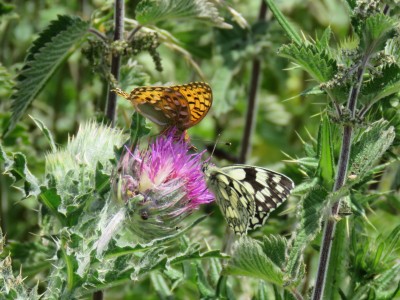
(237, 205)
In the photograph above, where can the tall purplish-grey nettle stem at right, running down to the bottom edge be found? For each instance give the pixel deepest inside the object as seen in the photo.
(340, 180)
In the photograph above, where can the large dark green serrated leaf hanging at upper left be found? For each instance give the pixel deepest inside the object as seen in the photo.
(49, 51)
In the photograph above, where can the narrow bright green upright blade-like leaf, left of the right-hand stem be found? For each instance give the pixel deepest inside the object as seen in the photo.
(325, 149)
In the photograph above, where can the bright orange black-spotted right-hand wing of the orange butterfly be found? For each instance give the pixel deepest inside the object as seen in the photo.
(199, 98)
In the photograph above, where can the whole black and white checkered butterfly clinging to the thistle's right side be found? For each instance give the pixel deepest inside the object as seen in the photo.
(247, 194)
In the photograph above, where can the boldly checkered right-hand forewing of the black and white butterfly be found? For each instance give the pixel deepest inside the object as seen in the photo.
(268, 189)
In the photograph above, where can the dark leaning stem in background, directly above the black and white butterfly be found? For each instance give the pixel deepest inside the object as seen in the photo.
(252, 100)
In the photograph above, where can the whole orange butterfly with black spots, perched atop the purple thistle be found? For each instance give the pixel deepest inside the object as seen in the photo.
(181, 106)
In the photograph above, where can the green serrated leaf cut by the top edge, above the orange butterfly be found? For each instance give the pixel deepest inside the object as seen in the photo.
(154, 11)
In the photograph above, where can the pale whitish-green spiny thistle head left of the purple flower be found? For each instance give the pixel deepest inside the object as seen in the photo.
(74, 168)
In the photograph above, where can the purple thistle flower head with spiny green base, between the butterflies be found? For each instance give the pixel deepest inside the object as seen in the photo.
(162, 184)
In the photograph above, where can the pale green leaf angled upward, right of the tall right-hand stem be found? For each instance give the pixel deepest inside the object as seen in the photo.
(371, 145)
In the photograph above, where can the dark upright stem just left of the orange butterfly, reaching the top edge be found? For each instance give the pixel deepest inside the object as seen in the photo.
(115, 60)
